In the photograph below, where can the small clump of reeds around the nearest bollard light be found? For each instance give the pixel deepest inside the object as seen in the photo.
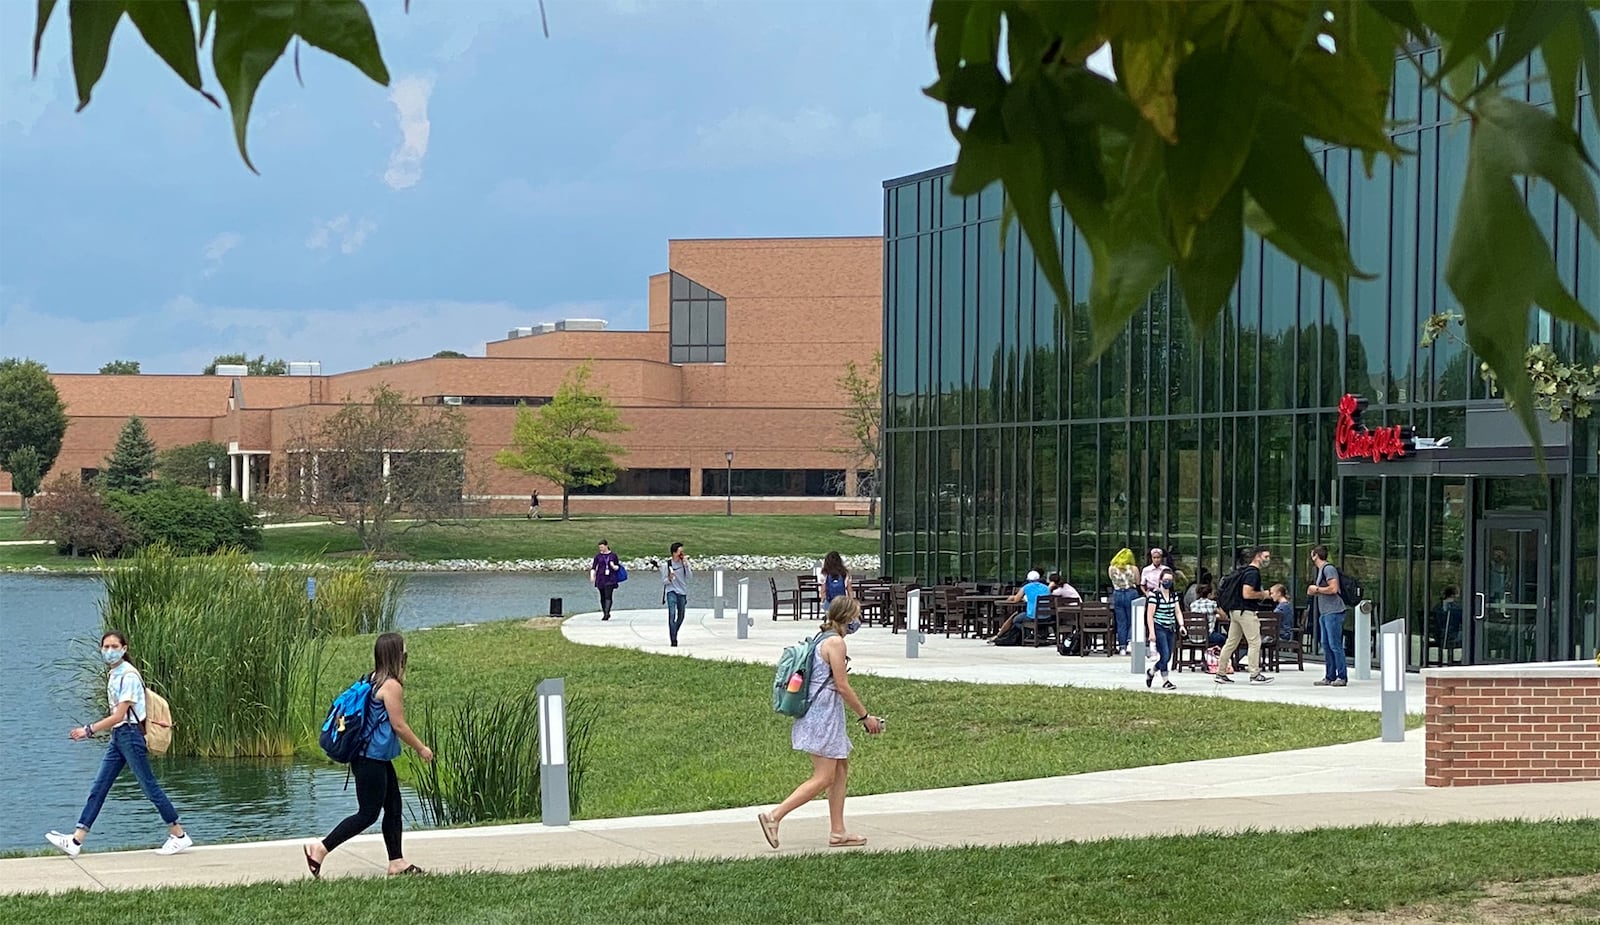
(487, 761)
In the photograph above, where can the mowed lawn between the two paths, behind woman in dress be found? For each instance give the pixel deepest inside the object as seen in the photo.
(682, 734)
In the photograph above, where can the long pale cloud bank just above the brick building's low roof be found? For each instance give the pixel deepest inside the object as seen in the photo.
(185, 334)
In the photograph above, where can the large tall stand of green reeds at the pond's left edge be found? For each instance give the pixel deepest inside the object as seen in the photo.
(238, 651)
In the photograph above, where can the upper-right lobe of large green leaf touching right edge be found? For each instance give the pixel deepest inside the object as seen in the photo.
(1526, 140)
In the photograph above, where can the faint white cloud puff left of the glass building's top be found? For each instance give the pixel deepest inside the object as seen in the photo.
(761, 137)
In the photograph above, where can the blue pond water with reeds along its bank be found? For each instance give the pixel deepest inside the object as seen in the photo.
(42, 617)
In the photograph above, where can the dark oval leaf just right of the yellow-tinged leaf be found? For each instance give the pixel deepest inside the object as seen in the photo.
(1218, 98)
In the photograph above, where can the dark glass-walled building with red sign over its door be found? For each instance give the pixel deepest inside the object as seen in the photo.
(1007, 447)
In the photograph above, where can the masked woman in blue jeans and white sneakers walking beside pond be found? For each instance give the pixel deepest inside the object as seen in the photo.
(126, 724)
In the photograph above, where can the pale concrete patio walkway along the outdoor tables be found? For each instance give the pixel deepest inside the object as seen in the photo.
(878, 652)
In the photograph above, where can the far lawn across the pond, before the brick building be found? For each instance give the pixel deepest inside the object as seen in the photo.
(518, 539)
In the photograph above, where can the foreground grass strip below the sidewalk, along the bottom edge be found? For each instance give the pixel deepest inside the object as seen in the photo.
(1298, 876)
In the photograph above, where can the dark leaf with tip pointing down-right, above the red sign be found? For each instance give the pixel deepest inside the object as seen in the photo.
(1294, 207)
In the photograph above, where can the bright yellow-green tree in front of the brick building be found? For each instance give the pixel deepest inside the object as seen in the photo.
(564, 439)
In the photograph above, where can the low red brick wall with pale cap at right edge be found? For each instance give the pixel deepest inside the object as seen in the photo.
(1513, 724)
